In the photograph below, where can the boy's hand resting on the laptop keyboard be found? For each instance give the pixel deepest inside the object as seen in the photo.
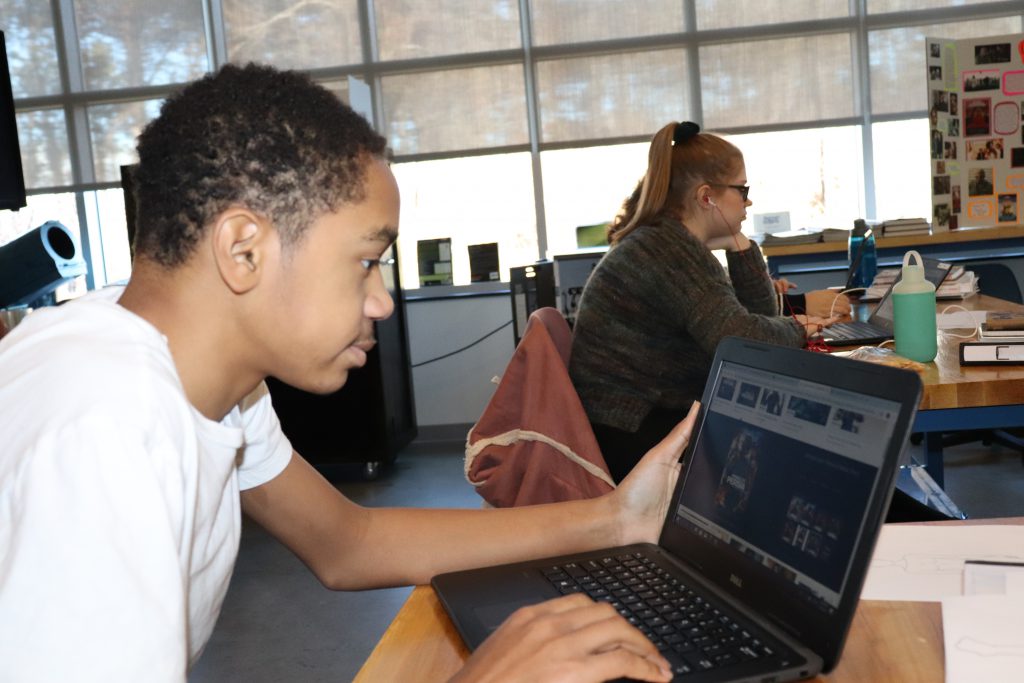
(567, 641)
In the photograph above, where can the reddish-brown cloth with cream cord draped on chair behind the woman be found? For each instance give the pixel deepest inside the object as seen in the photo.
(534, 443)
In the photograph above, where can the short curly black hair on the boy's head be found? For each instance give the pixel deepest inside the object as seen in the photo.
(272, 141)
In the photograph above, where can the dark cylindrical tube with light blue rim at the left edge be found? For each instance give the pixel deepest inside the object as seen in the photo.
(37, 264)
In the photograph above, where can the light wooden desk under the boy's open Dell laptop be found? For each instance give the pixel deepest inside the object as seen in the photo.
(889, 642)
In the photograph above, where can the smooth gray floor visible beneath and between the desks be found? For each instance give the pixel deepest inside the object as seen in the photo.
(280, 625)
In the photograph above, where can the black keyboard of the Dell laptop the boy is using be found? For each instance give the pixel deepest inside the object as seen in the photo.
(694, 635)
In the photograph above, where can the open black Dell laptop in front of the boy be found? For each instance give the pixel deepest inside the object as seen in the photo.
(761, 561)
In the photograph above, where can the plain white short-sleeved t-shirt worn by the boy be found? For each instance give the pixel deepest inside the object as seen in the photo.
(119, 502)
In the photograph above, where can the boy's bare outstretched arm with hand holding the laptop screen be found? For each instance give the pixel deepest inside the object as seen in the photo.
(353, 547)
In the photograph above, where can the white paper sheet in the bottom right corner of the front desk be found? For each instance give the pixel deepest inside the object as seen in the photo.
(985, 638)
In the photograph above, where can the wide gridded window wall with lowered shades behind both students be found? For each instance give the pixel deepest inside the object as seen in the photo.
(486, 103)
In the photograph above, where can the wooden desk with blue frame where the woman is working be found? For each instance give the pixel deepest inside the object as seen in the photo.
(973, 398)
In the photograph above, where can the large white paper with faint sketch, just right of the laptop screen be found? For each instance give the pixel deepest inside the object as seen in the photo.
(917, 563)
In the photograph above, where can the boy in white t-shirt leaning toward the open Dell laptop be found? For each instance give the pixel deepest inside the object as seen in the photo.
(137, 426)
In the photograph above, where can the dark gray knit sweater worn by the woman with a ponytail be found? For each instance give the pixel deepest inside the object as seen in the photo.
(652, 315)
